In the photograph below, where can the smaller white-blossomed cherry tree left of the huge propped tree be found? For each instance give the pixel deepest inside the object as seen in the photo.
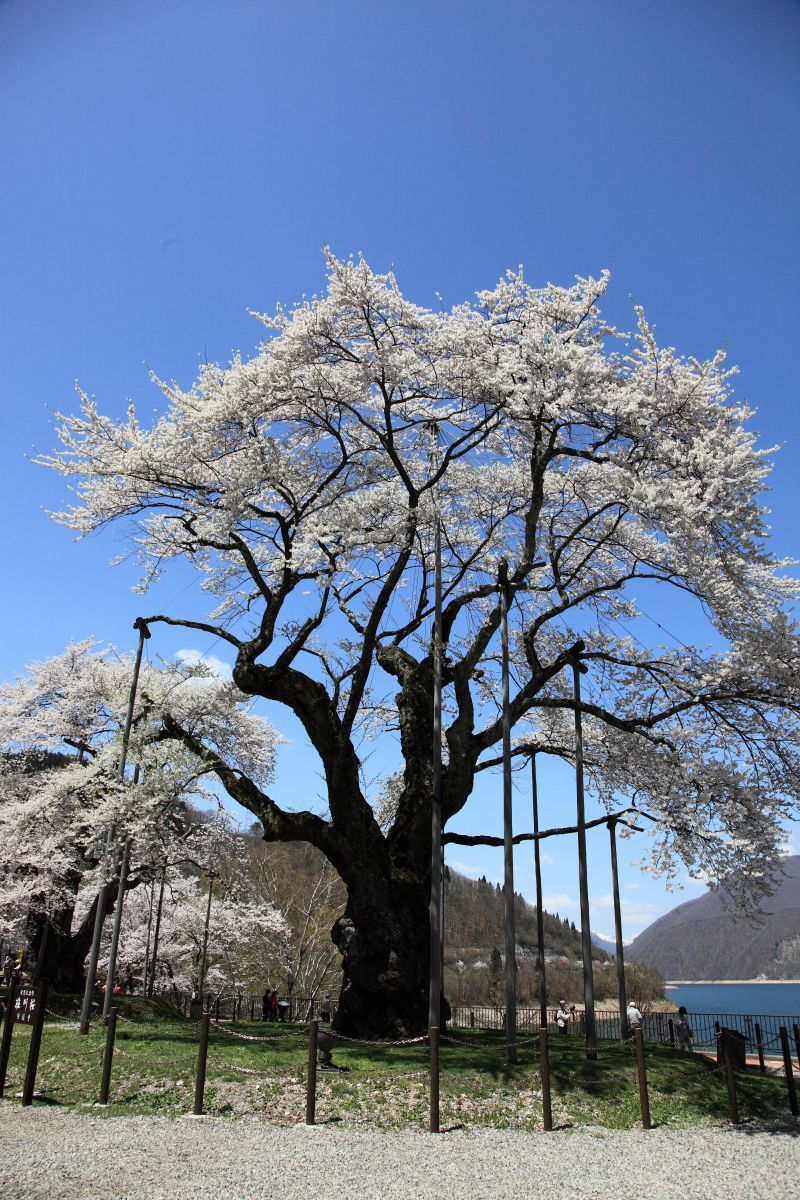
(61, 795)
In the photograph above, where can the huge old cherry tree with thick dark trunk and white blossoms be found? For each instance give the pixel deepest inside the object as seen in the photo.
(305, 485)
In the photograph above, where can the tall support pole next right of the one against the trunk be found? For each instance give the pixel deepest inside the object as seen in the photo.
(508, 831)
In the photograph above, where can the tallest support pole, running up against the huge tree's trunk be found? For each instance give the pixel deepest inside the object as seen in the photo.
(435, 985)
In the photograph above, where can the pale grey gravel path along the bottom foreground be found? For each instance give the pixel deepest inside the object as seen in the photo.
(49, 1155)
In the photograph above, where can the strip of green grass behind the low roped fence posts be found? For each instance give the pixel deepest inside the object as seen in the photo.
(383, 1087)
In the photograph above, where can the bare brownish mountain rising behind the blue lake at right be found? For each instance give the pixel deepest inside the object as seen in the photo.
(708, 939)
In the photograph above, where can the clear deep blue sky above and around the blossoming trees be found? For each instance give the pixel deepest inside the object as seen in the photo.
(170, 165)
